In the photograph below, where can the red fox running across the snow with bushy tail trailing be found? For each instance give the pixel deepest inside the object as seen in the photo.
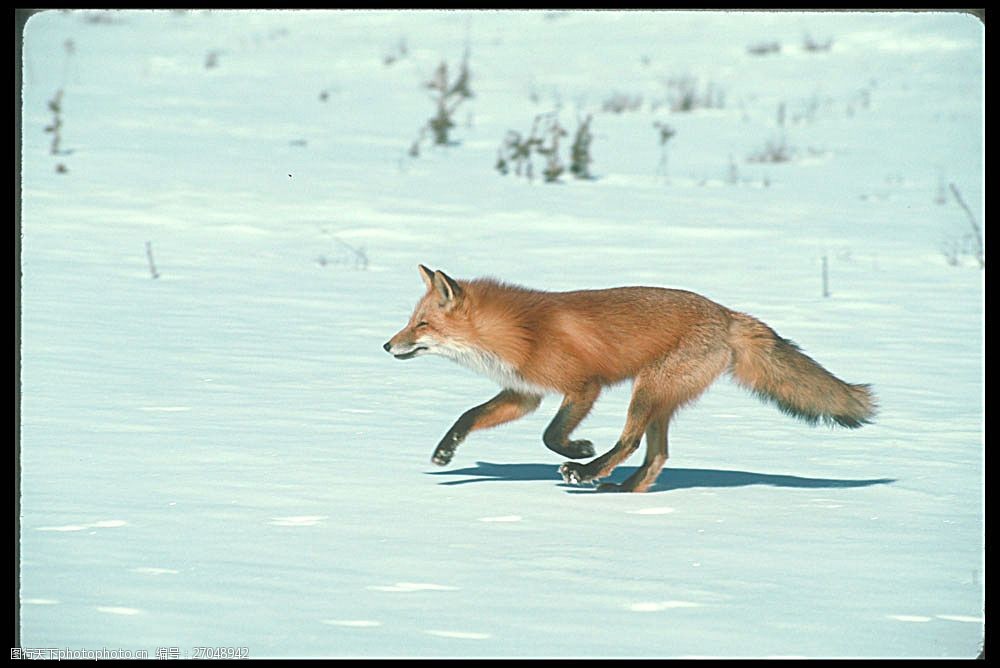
(673, 343)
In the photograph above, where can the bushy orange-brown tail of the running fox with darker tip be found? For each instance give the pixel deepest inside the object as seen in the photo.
(776, 370)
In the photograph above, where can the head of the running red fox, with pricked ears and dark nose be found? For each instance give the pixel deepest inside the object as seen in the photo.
(437, 316)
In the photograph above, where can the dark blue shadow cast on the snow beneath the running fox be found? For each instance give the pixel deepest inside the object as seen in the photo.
(670, 478)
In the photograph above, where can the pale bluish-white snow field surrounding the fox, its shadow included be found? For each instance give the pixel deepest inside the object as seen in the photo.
(225, 457)
